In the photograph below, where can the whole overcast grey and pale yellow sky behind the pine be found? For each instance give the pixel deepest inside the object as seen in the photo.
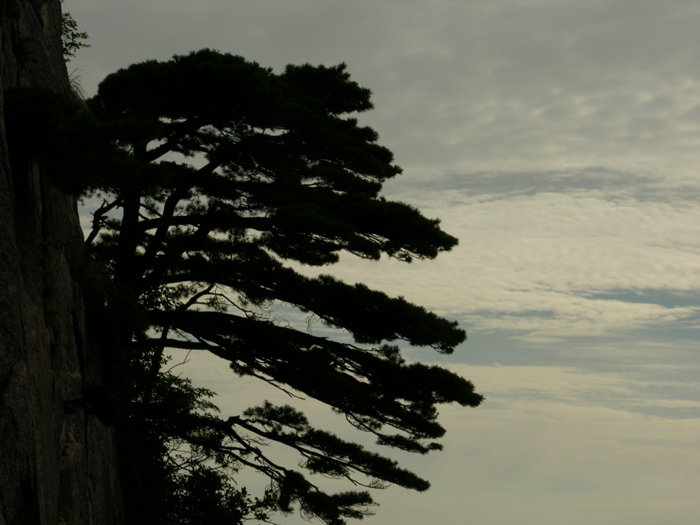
(560, 142)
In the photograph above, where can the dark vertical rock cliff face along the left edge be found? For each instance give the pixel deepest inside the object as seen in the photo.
(56, 465)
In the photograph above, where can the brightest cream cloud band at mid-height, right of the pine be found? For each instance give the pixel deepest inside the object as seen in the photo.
(553, 264)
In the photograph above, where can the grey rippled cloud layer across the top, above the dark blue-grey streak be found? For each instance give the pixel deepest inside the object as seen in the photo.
(461, 86)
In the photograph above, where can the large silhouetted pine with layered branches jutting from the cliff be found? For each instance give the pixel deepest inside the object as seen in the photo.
(270, 172)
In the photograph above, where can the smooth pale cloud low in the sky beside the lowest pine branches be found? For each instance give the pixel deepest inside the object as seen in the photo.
(561, 438)
